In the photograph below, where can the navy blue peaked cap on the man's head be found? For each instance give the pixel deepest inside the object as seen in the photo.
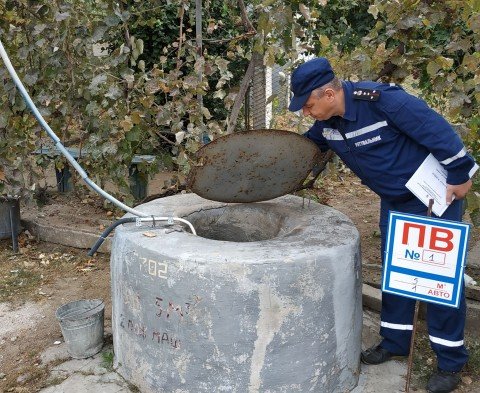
(306, 78)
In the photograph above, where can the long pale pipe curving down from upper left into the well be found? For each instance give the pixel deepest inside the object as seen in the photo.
(64, 151)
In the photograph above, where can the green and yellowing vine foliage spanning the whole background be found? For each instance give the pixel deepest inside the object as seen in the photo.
(123, 78)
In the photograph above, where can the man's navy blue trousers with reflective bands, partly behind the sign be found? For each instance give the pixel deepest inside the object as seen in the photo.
(445, 324)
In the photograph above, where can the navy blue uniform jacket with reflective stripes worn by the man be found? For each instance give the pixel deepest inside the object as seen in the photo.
(384, 136)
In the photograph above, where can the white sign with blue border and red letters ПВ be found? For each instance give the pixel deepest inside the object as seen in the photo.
(425, 258)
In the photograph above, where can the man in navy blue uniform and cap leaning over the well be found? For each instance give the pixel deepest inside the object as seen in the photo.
(383, 134)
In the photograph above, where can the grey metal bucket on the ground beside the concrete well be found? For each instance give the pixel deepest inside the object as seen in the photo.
(82, 327)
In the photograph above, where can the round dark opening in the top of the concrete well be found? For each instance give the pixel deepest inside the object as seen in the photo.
(237, 223)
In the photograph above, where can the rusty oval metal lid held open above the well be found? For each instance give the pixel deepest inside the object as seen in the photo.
(252, 166)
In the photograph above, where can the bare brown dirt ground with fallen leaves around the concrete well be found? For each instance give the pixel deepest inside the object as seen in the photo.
(43, 276)
